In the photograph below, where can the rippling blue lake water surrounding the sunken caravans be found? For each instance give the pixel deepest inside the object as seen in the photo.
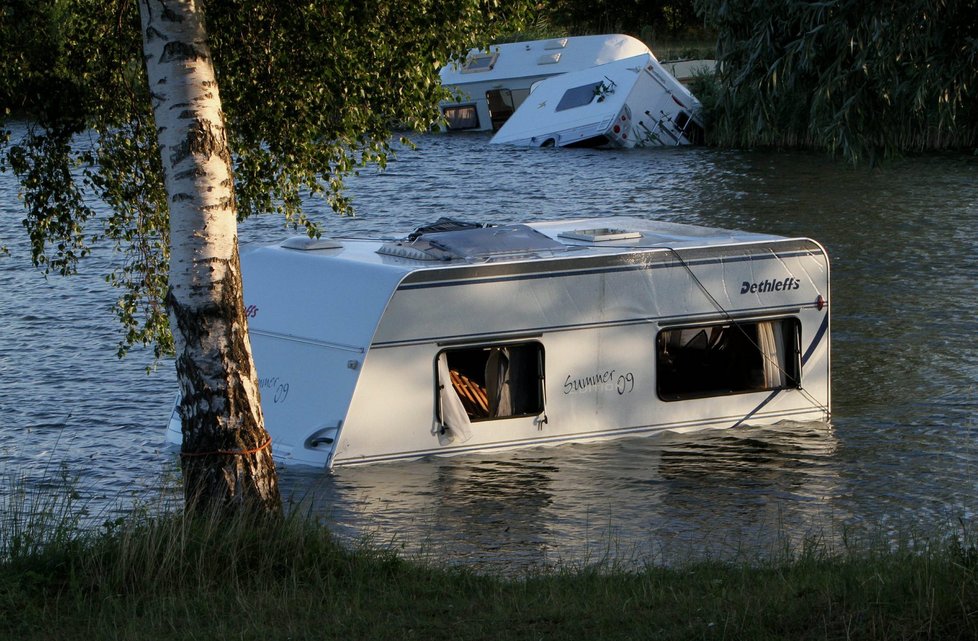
(900, 455)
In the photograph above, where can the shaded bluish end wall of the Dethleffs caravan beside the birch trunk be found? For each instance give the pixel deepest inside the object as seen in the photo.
(313, 315)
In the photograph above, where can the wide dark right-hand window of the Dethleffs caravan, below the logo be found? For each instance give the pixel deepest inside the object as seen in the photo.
(727, 358)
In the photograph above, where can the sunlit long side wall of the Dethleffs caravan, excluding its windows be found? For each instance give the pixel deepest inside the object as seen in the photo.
(597, 322)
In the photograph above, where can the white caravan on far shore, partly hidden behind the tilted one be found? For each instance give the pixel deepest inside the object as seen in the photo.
(491, 85)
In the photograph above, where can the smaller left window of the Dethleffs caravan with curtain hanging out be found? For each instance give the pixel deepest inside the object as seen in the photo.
(492, 381)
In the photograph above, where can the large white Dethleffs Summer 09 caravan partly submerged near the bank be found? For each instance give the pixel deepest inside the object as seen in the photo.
(462, 338)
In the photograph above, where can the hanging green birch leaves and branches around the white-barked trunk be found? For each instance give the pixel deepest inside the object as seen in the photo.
(311, 92)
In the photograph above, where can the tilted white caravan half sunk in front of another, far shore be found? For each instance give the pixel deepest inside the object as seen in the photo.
(625, 103)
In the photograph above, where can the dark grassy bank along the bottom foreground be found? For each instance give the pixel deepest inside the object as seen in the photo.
(167, 577)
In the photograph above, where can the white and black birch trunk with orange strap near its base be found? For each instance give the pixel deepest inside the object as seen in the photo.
(226, 457)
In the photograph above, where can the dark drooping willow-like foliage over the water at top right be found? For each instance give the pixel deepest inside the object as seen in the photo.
(861, 79)
